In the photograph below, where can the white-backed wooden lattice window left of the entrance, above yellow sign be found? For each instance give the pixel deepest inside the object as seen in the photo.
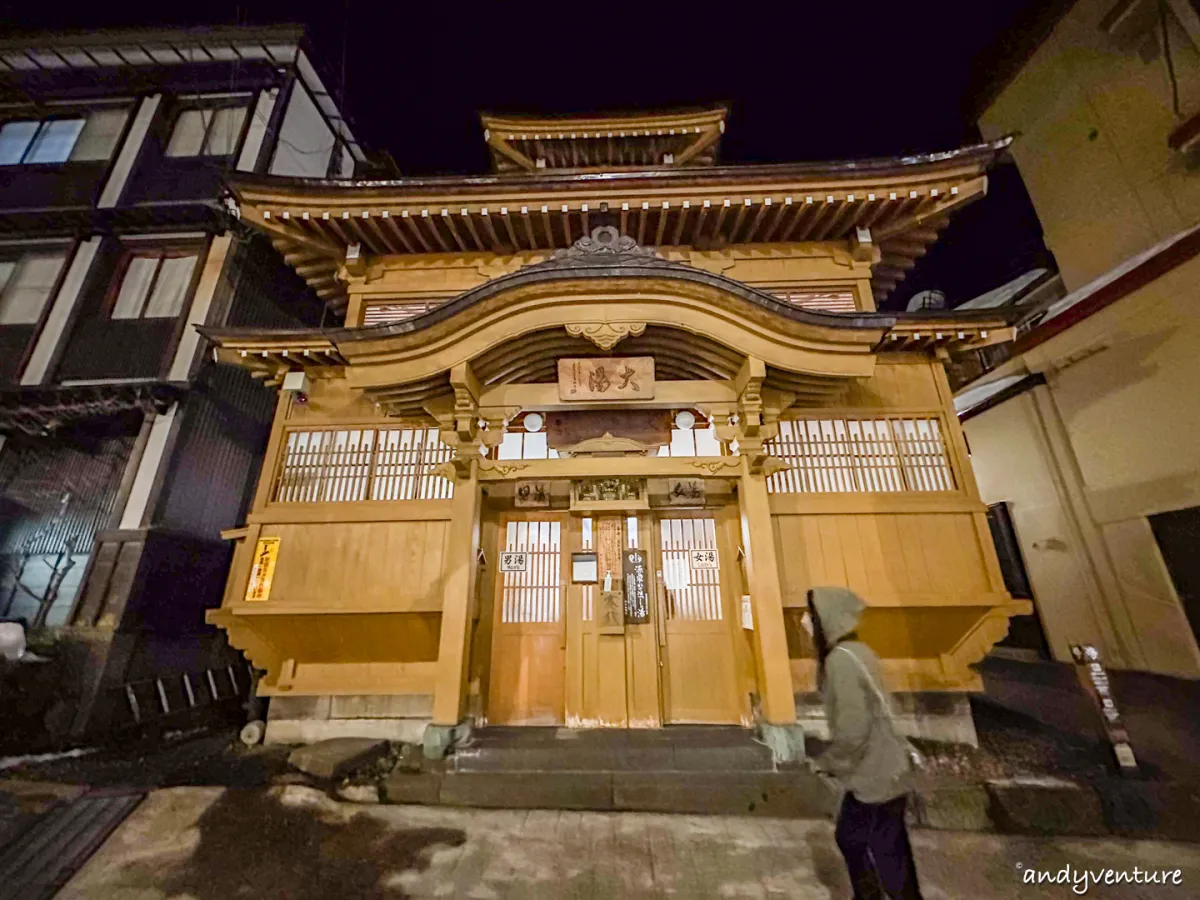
(340, 466)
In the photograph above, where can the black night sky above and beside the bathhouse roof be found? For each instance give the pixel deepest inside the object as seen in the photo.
(808, 82)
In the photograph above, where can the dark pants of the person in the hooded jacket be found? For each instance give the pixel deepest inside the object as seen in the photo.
(875, 843)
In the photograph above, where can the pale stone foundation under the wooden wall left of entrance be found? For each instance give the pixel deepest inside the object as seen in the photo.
(307, 721)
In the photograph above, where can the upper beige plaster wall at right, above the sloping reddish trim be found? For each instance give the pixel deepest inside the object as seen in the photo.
(1094, 121)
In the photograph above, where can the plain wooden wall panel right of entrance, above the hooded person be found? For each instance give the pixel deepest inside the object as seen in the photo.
(902, 560)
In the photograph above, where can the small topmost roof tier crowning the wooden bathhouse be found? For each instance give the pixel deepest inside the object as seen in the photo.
(523, 143)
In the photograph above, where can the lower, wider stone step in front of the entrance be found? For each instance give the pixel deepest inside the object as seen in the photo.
(789, 795)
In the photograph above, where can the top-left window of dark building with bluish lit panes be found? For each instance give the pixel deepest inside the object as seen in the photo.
(77, 139)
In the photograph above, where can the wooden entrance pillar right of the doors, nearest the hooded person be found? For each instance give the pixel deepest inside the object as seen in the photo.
(772, 664)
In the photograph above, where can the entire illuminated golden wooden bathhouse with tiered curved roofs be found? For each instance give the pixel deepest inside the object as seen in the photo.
(440, 496)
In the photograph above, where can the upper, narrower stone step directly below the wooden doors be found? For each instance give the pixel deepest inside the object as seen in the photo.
(689, 749)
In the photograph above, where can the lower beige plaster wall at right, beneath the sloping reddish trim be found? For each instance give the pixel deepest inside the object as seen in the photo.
(1113, 439)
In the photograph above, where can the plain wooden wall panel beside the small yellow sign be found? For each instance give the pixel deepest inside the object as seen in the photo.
(361, 566)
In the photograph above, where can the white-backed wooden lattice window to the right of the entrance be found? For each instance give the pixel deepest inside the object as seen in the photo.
(855, 455)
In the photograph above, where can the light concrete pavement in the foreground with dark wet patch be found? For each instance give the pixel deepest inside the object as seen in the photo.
(295, 843)
